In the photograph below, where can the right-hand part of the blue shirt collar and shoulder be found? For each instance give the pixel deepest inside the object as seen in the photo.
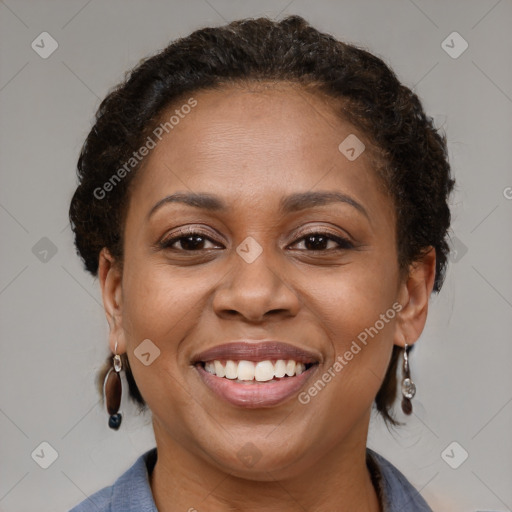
(397, 493)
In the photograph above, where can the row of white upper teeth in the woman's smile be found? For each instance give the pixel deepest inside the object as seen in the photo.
(249, 370)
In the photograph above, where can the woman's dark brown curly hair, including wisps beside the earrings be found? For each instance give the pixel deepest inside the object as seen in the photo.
(414, 165)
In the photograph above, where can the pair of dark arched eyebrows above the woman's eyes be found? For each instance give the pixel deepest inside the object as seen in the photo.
(289, 204)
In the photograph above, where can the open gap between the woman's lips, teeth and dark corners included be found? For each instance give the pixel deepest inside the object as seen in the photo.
(251, 372)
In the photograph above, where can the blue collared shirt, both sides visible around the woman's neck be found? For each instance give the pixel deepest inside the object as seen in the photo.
(131, 492)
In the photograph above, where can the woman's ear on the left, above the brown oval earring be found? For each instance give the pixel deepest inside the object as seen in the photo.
(110, 277)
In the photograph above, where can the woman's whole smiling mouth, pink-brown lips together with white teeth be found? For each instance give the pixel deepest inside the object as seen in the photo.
(255, 374)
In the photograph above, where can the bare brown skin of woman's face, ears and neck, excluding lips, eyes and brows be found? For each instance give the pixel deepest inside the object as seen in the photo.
(252, 146)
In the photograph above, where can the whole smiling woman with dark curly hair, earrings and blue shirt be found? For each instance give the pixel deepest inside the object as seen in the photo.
(266, 210)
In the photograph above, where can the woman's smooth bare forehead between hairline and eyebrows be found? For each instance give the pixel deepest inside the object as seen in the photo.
(255, 142)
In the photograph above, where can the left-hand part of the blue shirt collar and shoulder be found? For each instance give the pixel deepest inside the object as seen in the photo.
(130, 492)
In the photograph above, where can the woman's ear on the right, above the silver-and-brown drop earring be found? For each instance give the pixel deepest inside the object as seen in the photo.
(414, 296)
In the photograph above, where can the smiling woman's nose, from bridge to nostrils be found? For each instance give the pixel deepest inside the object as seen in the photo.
(255, 291)
